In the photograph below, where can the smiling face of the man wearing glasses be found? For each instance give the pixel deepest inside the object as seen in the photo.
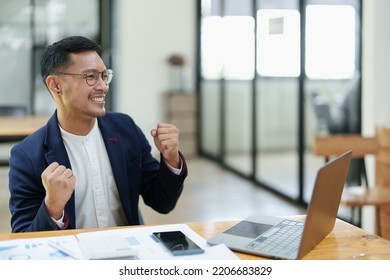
(78, 99)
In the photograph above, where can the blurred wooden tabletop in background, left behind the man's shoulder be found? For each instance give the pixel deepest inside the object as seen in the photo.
(17, 128)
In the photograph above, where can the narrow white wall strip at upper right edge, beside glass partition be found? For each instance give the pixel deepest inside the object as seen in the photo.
(376, 64)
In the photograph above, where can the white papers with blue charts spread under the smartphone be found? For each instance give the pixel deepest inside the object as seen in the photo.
(124, 243)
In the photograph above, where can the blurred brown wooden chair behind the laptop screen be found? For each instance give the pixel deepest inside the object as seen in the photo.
(359, 196)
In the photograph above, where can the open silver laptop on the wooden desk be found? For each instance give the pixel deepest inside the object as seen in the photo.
(279, 238)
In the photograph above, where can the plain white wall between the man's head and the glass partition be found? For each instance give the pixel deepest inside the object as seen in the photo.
(148, 32)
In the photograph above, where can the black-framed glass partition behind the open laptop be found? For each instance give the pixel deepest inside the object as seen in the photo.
(267, 67)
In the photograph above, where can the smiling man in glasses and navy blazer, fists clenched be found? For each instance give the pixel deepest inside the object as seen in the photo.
(87, 168)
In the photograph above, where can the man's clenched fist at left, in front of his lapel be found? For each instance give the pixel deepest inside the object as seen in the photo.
(59, 183)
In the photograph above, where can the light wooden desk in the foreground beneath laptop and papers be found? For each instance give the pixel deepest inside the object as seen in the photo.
(345, 242)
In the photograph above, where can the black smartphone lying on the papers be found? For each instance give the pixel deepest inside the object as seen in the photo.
(178, 243)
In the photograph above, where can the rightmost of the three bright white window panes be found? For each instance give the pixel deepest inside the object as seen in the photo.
(330, 42)
